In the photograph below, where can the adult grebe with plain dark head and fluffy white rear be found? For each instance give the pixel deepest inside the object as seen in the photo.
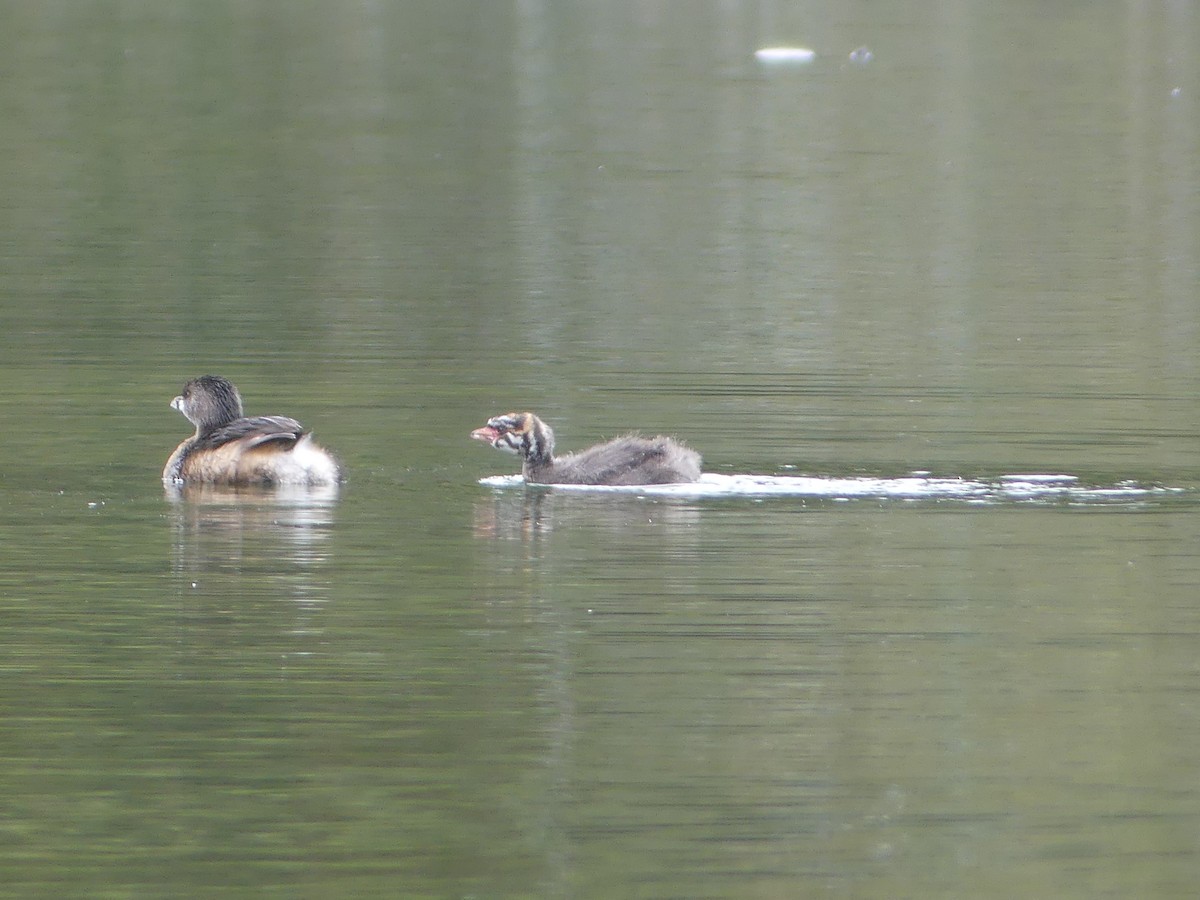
(232, 449)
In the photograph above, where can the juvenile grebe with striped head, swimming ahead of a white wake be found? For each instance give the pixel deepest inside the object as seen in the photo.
(631, 460)
